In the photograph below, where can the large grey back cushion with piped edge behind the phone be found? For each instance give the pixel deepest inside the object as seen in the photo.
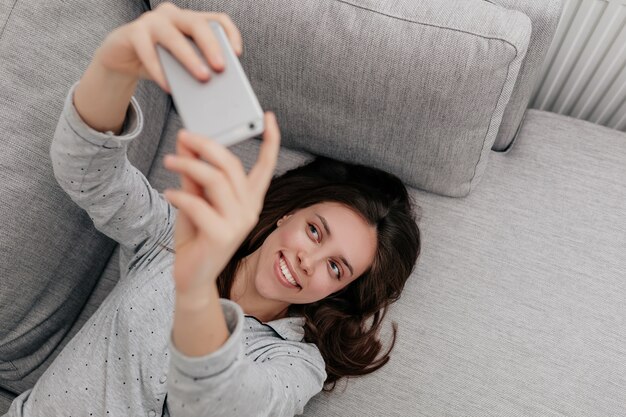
(417, 88)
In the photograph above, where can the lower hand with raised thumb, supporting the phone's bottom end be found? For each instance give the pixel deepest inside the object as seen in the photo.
(218, 204)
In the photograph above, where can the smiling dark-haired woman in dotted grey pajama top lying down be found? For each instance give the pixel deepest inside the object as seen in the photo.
(279, 286)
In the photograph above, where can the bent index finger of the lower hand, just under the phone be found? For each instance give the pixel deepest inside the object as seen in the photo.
(220, 157)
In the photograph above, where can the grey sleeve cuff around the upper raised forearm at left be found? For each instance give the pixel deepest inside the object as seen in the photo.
(133, 124)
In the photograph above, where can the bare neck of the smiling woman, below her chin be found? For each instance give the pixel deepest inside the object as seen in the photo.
(244, 293)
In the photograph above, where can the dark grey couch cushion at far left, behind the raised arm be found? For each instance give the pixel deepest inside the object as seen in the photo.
(50, 253)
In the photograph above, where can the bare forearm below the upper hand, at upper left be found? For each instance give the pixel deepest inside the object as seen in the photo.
(102, 98)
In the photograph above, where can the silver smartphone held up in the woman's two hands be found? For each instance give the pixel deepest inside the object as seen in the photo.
(224, 108)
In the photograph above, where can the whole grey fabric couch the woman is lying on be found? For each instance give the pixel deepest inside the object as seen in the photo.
(516, 306)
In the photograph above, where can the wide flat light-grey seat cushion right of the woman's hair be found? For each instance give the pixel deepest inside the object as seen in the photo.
(517, 305)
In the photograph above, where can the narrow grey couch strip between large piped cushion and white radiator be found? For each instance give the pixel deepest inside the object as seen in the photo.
(544, 15)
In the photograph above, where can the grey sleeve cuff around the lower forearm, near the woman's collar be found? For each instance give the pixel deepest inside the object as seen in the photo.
(220, 360)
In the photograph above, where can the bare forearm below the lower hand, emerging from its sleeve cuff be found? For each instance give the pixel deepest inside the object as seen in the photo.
(199, 324)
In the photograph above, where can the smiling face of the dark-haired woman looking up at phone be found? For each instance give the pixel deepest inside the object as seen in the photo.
(323, 248)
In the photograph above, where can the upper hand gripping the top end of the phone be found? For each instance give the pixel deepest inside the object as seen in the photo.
(130, 50)
